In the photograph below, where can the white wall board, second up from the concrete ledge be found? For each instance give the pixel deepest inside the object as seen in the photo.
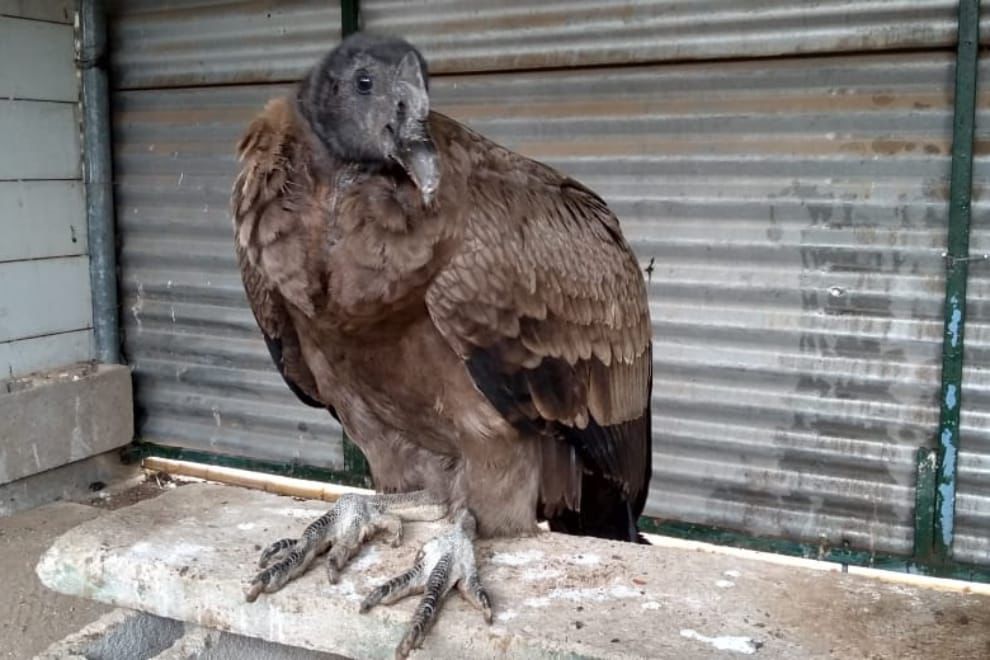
(44, 297)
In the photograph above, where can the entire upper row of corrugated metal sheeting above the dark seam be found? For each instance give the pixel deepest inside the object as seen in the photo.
(178, 43)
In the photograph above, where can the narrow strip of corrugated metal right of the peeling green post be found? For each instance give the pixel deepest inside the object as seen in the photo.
(972, 541)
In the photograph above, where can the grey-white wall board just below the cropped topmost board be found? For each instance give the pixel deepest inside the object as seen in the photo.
(37, 61)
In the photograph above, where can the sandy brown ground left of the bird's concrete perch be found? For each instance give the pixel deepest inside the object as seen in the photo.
(32, 617)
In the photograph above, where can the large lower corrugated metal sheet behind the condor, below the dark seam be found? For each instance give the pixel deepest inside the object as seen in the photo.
(791, 217)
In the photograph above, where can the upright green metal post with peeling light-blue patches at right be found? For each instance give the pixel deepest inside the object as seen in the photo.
(957, 269)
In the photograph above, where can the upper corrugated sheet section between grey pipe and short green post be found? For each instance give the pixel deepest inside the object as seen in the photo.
(180, 43)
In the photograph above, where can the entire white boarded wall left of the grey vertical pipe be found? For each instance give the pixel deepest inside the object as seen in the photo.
(45, 308)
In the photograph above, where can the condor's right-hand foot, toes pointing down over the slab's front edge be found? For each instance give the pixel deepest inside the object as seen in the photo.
(443, 563)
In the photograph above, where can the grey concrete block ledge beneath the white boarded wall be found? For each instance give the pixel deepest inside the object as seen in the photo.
(63, 416)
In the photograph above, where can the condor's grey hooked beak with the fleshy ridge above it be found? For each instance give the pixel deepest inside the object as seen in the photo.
(415, 150)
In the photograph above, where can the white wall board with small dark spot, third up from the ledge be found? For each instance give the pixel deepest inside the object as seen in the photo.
(41, 219)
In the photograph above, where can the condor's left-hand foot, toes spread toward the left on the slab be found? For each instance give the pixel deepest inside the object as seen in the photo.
(340, 532)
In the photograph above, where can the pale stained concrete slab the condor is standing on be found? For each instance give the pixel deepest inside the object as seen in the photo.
(187, 555)
